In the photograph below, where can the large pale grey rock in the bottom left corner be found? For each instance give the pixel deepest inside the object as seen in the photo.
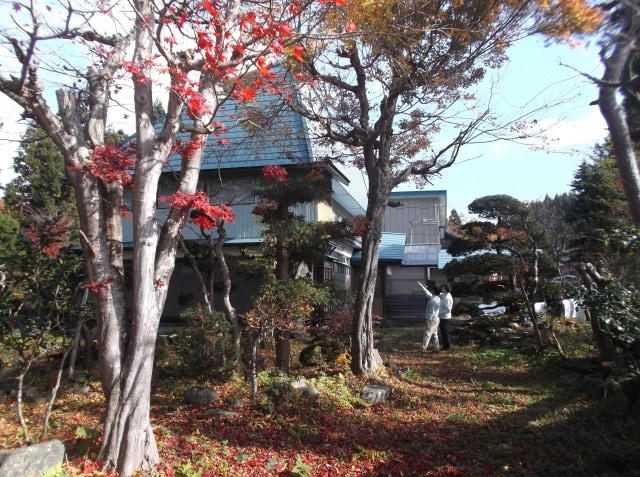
(31, 460)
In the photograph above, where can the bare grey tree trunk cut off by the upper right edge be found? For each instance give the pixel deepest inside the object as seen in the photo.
(622, 49)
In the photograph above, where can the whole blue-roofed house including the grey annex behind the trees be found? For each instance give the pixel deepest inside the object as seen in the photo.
(266, 132)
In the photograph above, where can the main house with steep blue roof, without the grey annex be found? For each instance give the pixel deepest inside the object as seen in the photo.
(256, 134)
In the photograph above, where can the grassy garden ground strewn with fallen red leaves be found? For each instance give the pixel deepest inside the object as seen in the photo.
(474, 411)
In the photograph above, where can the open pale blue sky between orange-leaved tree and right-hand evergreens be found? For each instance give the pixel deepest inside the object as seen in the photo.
(516, 170)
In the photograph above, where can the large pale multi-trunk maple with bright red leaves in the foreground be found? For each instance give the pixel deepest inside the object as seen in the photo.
(194, 53)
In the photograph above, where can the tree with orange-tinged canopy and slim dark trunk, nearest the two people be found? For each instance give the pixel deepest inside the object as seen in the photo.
(392, 87)
